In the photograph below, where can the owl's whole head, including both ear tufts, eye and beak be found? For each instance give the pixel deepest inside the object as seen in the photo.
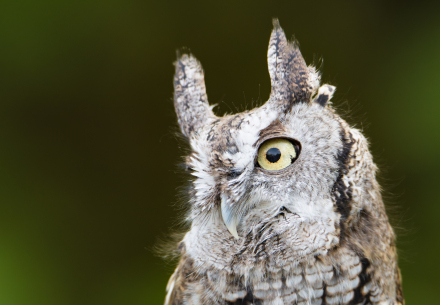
(291, 169)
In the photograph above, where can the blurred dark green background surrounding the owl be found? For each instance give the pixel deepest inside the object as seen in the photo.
(88, 154)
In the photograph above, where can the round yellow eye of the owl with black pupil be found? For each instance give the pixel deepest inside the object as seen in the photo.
(276, 154)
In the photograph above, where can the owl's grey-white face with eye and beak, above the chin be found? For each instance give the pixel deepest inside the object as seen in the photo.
(233, 167)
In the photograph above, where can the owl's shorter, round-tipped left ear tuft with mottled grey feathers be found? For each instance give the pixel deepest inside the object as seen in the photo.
(190, 99)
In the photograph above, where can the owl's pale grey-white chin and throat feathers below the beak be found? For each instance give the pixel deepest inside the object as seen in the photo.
(266, 240)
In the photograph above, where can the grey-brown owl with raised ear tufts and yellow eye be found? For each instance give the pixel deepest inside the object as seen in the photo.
(284, 206)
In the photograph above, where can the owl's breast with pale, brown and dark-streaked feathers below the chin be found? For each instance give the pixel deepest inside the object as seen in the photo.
(341, 277)
